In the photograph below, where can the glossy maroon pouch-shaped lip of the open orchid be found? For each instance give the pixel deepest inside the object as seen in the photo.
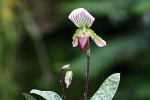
(83, 42)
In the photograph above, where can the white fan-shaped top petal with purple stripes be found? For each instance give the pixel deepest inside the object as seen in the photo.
(81, 18)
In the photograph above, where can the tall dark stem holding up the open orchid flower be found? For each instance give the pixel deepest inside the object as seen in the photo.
(87, 74)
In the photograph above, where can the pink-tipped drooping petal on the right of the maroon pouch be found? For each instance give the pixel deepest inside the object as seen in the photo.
(99, 41)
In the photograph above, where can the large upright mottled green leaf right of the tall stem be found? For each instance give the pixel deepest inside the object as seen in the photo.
(108, 88)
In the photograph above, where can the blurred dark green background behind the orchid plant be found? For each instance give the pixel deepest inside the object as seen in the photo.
(35, 41)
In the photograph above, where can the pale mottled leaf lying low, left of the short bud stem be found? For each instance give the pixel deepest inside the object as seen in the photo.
(48, 95)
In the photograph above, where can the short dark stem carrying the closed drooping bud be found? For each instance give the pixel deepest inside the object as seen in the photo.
(62, 85)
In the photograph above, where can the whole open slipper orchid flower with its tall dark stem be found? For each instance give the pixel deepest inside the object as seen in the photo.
(83, 20)
